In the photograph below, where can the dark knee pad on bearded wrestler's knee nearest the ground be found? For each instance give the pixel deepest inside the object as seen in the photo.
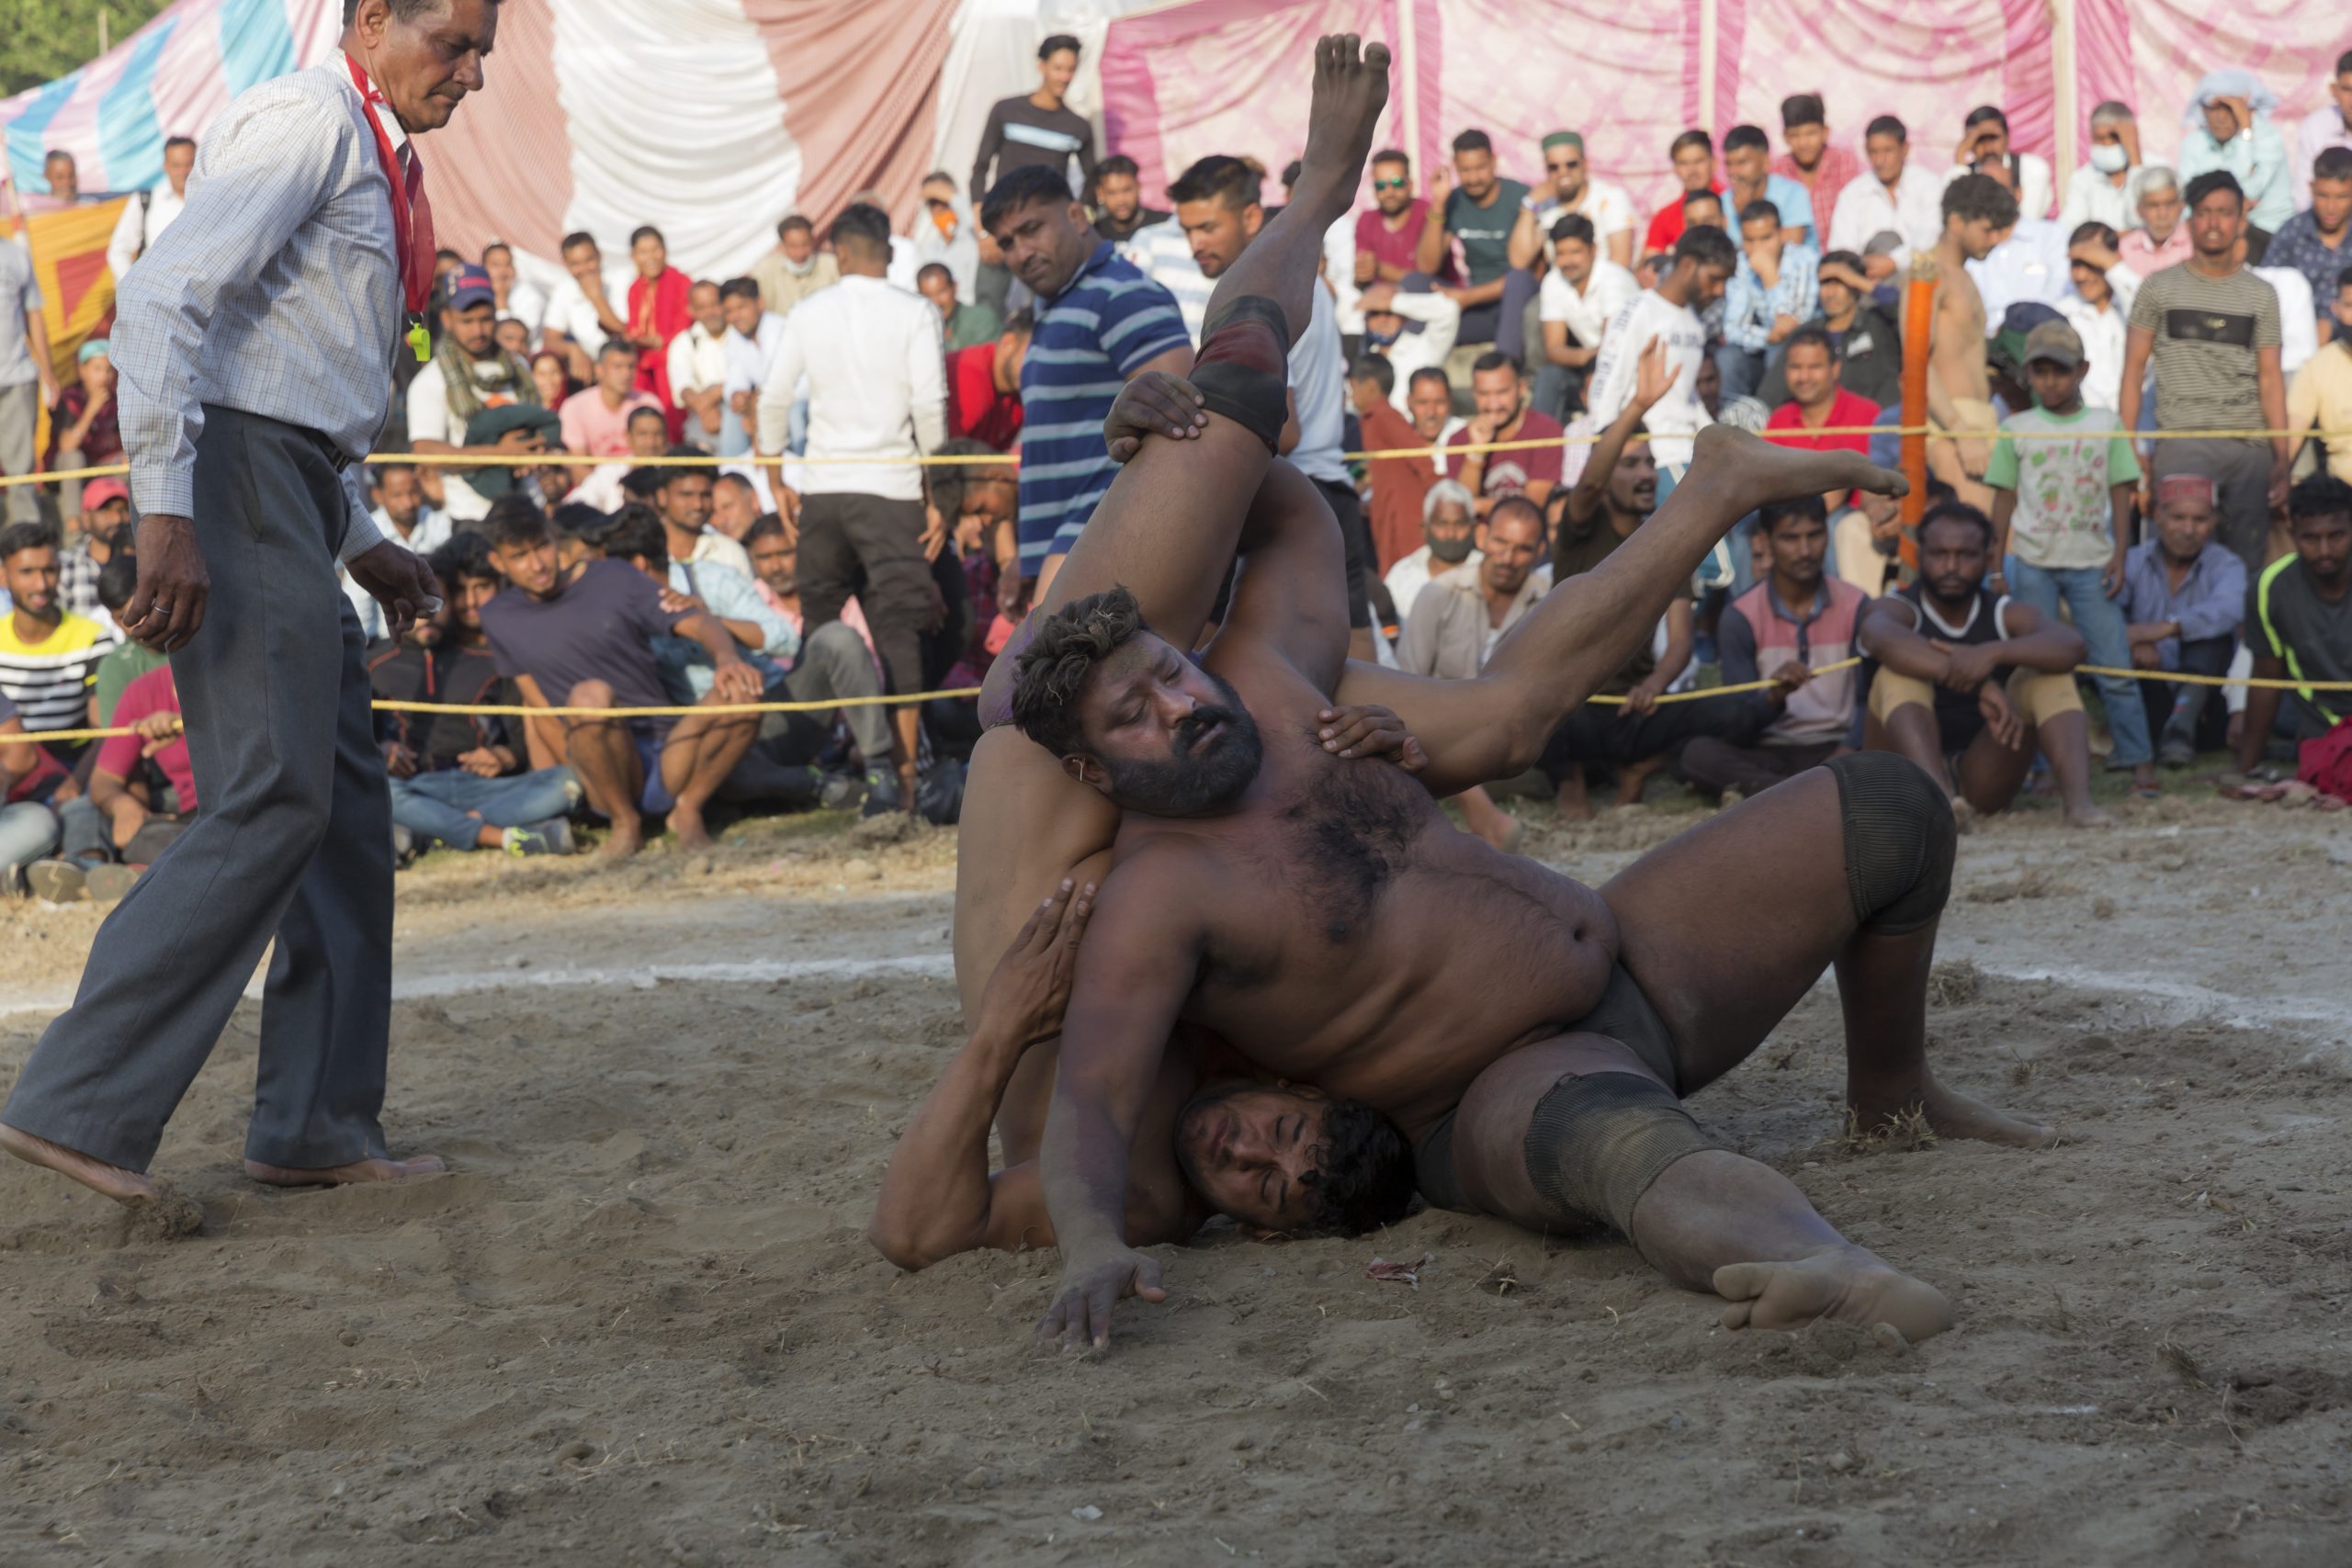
(1598, 1141)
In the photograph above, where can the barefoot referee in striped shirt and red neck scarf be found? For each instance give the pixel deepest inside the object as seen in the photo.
(255, 342)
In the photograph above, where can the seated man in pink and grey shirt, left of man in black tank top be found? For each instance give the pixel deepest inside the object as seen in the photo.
(1789, 629)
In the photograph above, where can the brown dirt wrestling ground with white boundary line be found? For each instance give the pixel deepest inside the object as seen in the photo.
(639, 1320)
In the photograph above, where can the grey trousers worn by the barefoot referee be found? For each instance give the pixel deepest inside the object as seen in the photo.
(293, 840)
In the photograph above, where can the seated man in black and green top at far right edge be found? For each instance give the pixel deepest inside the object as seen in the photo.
(2299, 626)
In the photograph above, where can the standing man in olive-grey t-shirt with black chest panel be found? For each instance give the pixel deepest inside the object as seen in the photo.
(2214, 335)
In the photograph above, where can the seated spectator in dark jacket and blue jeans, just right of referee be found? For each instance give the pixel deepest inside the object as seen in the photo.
(462, 782)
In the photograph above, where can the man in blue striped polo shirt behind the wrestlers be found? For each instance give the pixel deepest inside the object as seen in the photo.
(1100, 323)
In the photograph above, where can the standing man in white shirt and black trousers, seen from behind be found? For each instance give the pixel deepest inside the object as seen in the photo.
(878, 389)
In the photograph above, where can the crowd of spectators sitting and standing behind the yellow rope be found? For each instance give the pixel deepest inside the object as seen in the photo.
(1528, 361)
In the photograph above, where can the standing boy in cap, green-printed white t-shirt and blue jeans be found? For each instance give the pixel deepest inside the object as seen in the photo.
(2059, 514)
